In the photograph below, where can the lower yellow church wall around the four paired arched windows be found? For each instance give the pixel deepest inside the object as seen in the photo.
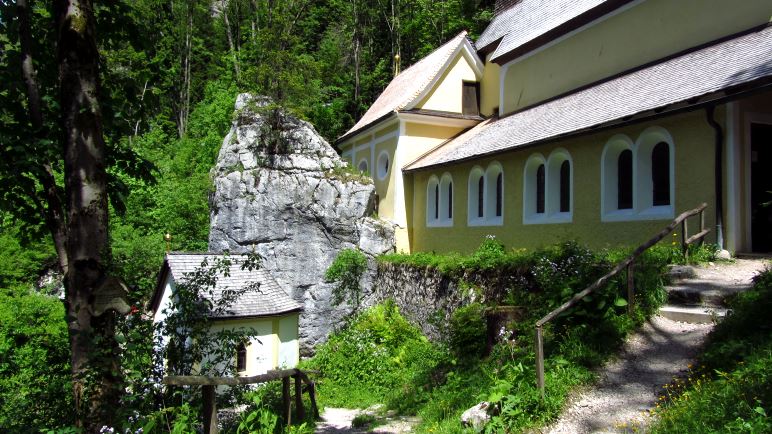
(693, 182)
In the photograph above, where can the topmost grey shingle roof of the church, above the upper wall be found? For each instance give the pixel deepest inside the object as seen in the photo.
(528, 20)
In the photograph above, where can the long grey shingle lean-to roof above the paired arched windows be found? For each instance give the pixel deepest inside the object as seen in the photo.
(695, 74)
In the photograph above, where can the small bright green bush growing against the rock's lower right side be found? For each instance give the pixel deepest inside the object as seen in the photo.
(346, 271)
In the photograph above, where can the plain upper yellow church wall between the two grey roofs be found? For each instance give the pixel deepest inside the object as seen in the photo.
(645, 32)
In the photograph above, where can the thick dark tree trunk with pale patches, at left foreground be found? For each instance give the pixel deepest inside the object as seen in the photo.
(95, 367)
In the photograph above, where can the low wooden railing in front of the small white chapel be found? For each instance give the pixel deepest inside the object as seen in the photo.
(208, 384)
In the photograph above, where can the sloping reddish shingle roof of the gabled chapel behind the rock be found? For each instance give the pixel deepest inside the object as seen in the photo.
(408, 85)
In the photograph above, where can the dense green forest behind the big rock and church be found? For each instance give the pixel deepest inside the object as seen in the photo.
(170, 71)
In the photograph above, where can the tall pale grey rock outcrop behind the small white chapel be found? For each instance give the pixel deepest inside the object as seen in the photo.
(280, 190)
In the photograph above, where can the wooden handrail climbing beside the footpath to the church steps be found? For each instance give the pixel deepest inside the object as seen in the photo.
(627, 263)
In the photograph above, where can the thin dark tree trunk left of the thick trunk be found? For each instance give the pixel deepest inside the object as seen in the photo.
(51, 210)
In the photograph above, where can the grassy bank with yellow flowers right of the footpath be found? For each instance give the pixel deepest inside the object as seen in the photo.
(731, 388)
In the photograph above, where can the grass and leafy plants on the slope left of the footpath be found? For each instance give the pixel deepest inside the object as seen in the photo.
(380, 358)
